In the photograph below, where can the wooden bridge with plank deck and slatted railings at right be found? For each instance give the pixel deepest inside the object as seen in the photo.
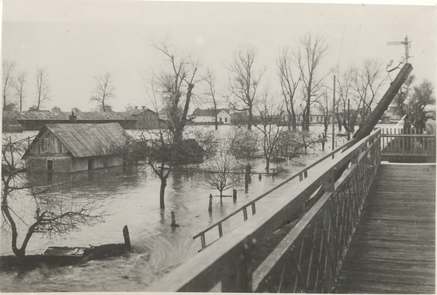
(348, 223)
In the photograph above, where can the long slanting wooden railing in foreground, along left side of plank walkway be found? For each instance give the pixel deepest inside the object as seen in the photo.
(316, 217)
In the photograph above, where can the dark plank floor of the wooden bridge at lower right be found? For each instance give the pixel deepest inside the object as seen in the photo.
(392, 250)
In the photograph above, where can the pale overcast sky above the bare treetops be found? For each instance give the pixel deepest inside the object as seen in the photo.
(76, 40)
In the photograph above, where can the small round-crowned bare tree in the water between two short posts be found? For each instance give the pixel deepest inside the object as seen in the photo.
(222, 176)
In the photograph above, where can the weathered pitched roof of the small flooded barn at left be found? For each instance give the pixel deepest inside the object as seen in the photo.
(88, 140)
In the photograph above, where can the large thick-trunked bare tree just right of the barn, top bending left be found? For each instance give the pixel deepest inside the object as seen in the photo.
(176, 88)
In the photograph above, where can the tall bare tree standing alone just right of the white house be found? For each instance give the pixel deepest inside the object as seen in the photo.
(244, 82)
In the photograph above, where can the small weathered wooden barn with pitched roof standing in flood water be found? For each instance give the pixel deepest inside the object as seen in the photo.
(71, 147)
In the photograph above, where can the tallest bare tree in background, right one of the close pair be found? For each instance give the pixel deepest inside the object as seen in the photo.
(308, 60)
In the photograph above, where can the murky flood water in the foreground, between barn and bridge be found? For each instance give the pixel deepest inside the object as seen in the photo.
(131, 197)
